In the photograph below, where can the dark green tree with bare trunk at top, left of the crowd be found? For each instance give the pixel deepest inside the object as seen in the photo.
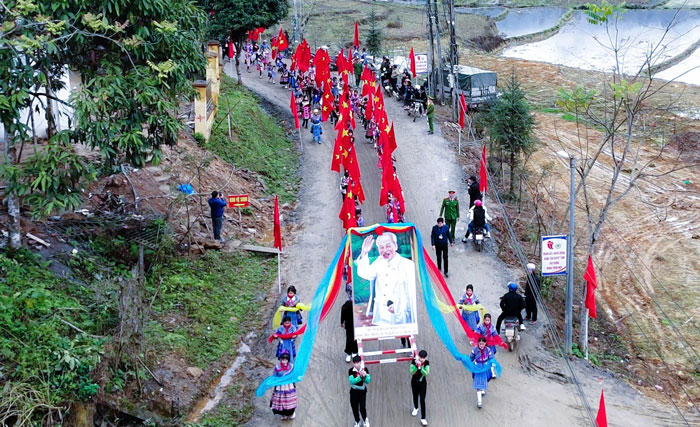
(234, 18)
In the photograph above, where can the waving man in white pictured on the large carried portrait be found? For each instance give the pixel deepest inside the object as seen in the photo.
(395, 281)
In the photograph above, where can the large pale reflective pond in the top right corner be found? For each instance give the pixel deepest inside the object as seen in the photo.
(583, 45)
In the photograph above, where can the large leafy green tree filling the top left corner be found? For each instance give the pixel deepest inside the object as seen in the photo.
(134, 62)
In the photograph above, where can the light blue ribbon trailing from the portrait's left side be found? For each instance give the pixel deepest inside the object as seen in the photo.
(301, 362)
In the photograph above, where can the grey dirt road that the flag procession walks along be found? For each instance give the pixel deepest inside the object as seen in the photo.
(535, 395)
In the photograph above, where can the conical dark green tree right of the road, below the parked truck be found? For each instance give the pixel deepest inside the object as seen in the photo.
(510, 125)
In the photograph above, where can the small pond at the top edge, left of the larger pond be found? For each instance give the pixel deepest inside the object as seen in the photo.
(519, 22)
